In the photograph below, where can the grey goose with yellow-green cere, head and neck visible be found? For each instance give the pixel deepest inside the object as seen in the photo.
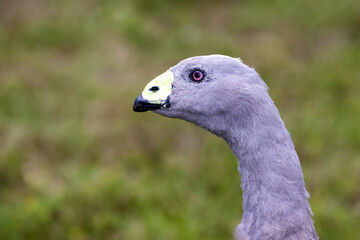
(226, 97)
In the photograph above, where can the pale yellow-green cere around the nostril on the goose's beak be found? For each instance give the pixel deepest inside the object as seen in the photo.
(159, 88)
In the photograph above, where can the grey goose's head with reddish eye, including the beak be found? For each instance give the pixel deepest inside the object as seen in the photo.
(210, 91)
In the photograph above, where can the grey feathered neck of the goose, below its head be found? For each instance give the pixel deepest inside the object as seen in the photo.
(275, 204)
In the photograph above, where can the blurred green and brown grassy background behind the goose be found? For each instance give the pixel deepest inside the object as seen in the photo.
(77, 163)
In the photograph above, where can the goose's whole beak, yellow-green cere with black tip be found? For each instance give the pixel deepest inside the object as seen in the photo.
(156, 94)
